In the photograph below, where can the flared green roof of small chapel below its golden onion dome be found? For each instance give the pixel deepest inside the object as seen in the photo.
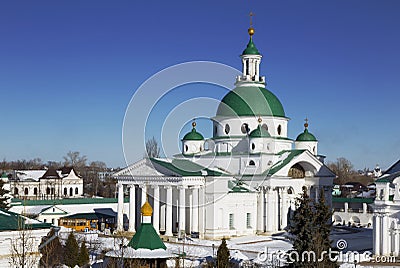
(146, 237)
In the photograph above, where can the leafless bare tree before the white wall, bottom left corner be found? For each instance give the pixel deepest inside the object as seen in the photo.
(23, 250)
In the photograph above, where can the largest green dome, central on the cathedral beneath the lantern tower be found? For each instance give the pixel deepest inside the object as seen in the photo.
(250, 101)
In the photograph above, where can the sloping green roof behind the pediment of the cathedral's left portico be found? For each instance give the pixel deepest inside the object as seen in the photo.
(183, 167)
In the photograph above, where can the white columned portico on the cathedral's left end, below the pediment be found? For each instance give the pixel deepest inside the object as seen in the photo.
(175, 202)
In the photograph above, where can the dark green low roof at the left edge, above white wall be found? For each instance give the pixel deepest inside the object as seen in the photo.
(10, 221)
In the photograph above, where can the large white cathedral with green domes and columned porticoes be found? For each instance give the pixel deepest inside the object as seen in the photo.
(244, 180)
